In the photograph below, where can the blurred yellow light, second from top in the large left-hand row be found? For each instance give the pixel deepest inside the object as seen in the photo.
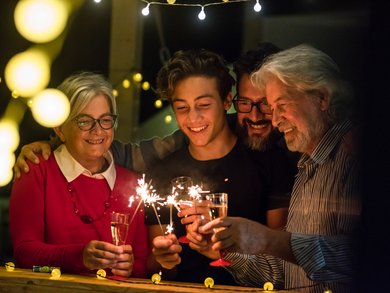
(27, 73)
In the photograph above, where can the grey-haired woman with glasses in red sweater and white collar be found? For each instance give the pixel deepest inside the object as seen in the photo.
(60, 212)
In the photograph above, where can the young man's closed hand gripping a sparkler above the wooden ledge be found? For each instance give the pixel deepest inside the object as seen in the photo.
(166, 251)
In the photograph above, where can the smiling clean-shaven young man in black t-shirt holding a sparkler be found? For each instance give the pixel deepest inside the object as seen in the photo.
(198, 84)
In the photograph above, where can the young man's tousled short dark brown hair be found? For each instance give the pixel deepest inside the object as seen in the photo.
(193, 62)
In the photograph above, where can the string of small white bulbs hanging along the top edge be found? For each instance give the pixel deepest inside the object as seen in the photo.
(202, 14)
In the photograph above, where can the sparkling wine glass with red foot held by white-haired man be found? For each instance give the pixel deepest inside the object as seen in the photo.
(218, 209)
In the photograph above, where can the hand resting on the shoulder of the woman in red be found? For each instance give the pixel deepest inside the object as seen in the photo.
(28, 152)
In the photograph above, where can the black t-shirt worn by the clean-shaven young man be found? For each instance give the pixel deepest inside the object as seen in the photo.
(242, 173)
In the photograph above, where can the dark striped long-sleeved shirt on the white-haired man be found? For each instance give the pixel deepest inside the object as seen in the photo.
(323, 218)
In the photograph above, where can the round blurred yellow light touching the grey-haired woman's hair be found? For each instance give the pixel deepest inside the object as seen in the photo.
(50, 108)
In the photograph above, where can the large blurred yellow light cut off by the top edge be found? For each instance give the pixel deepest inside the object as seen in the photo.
(41, 21)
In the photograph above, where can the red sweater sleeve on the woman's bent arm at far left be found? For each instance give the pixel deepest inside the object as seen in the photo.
(27, 225)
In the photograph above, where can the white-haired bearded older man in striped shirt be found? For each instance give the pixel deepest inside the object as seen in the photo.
(317, 250)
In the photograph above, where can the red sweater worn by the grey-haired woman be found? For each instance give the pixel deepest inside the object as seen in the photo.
(46, 231)
